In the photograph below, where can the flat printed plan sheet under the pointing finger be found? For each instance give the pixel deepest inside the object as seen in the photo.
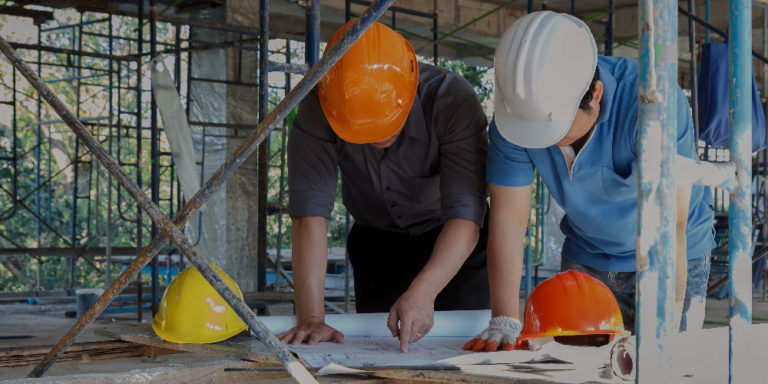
(370, 352)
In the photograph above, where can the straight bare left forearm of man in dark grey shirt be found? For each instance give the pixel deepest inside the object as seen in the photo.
(310, 258)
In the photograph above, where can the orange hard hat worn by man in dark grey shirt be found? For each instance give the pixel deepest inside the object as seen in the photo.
(368, 94)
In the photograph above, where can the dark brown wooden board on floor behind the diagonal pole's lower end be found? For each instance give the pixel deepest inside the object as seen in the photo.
(97, 350)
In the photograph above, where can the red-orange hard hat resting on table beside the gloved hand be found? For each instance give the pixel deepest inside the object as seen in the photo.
(570, 303)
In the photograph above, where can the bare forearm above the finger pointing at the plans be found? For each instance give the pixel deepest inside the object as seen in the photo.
(456, 241)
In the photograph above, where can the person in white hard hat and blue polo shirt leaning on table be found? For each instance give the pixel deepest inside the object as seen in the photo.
(572, 116)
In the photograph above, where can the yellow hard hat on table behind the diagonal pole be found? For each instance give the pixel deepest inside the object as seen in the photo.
(191, 311)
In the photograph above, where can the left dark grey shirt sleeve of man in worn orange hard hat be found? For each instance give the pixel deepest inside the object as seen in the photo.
(312, 162)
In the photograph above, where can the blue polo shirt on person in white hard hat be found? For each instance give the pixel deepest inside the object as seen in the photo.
(600, 198)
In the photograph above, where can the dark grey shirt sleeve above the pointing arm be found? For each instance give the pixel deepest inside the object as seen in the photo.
(460, 126)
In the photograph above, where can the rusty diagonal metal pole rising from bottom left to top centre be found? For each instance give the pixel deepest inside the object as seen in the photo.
(247, 148)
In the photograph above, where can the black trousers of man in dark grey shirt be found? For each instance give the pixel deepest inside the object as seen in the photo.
(385, 263)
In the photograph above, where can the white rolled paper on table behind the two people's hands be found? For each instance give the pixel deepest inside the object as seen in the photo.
(447, 323)
